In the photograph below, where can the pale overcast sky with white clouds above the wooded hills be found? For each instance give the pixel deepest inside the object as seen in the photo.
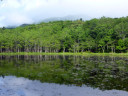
(16, 12)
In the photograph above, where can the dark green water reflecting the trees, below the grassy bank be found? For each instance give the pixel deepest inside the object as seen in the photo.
(100, 73)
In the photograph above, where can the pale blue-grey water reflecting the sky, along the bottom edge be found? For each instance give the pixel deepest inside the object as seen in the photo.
(13, 86)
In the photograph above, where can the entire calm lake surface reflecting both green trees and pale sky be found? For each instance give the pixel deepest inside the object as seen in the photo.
(99, 75)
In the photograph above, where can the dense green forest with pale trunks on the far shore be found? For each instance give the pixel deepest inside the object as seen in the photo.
(103, 35)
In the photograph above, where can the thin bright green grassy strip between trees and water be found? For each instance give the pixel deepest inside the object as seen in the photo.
(81, 54)
